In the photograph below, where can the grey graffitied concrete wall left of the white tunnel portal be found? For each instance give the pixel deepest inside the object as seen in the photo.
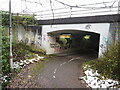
(28, 36)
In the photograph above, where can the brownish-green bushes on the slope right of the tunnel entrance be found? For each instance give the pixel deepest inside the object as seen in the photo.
(109, 64)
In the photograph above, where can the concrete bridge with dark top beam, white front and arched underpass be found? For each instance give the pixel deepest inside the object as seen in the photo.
(78, 34)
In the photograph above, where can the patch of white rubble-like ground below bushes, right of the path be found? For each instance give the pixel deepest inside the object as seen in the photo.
(92, 79)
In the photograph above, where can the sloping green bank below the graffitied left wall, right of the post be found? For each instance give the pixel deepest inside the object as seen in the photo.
(21, 51)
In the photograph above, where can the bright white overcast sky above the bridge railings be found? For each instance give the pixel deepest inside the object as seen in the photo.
(39, 7)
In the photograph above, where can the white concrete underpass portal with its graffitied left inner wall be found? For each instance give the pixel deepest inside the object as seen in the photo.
(51, 46)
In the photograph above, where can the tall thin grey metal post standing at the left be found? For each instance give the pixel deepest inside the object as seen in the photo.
(10, 30)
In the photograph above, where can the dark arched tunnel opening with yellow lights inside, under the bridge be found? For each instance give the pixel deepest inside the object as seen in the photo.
(74, 41)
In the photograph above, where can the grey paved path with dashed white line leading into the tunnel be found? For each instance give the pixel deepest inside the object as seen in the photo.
(62, 72)
